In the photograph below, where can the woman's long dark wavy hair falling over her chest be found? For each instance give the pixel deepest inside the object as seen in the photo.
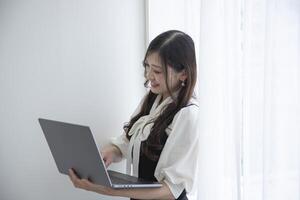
(175, 49)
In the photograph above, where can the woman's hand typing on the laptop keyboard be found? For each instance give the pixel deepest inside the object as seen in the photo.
(111, 154)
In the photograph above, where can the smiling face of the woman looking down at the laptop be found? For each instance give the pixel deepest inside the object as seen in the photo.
(155, 75)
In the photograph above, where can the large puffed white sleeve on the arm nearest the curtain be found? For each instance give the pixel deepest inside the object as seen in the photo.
(177, 165)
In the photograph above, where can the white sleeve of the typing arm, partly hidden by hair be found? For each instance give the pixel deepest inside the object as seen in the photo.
(121, 141)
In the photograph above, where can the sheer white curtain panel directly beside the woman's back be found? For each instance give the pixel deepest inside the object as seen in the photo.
(220, 100)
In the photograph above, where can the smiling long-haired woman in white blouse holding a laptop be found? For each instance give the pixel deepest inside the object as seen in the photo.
(160, 142)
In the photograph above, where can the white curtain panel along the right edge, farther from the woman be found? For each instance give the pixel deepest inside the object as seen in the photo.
(271, 89)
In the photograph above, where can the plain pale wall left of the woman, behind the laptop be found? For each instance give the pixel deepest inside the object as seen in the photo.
(75, 61)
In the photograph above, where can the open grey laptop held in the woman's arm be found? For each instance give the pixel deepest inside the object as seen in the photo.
(73, 146)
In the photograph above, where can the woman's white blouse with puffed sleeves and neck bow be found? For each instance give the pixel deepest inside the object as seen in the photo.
(177, 165)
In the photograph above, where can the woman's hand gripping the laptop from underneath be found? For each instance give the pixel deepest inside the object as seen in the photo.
(87, 185)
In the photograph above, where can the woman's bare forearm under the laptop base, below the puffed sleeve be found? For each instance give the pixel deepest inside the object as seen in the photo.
(145, 193)
